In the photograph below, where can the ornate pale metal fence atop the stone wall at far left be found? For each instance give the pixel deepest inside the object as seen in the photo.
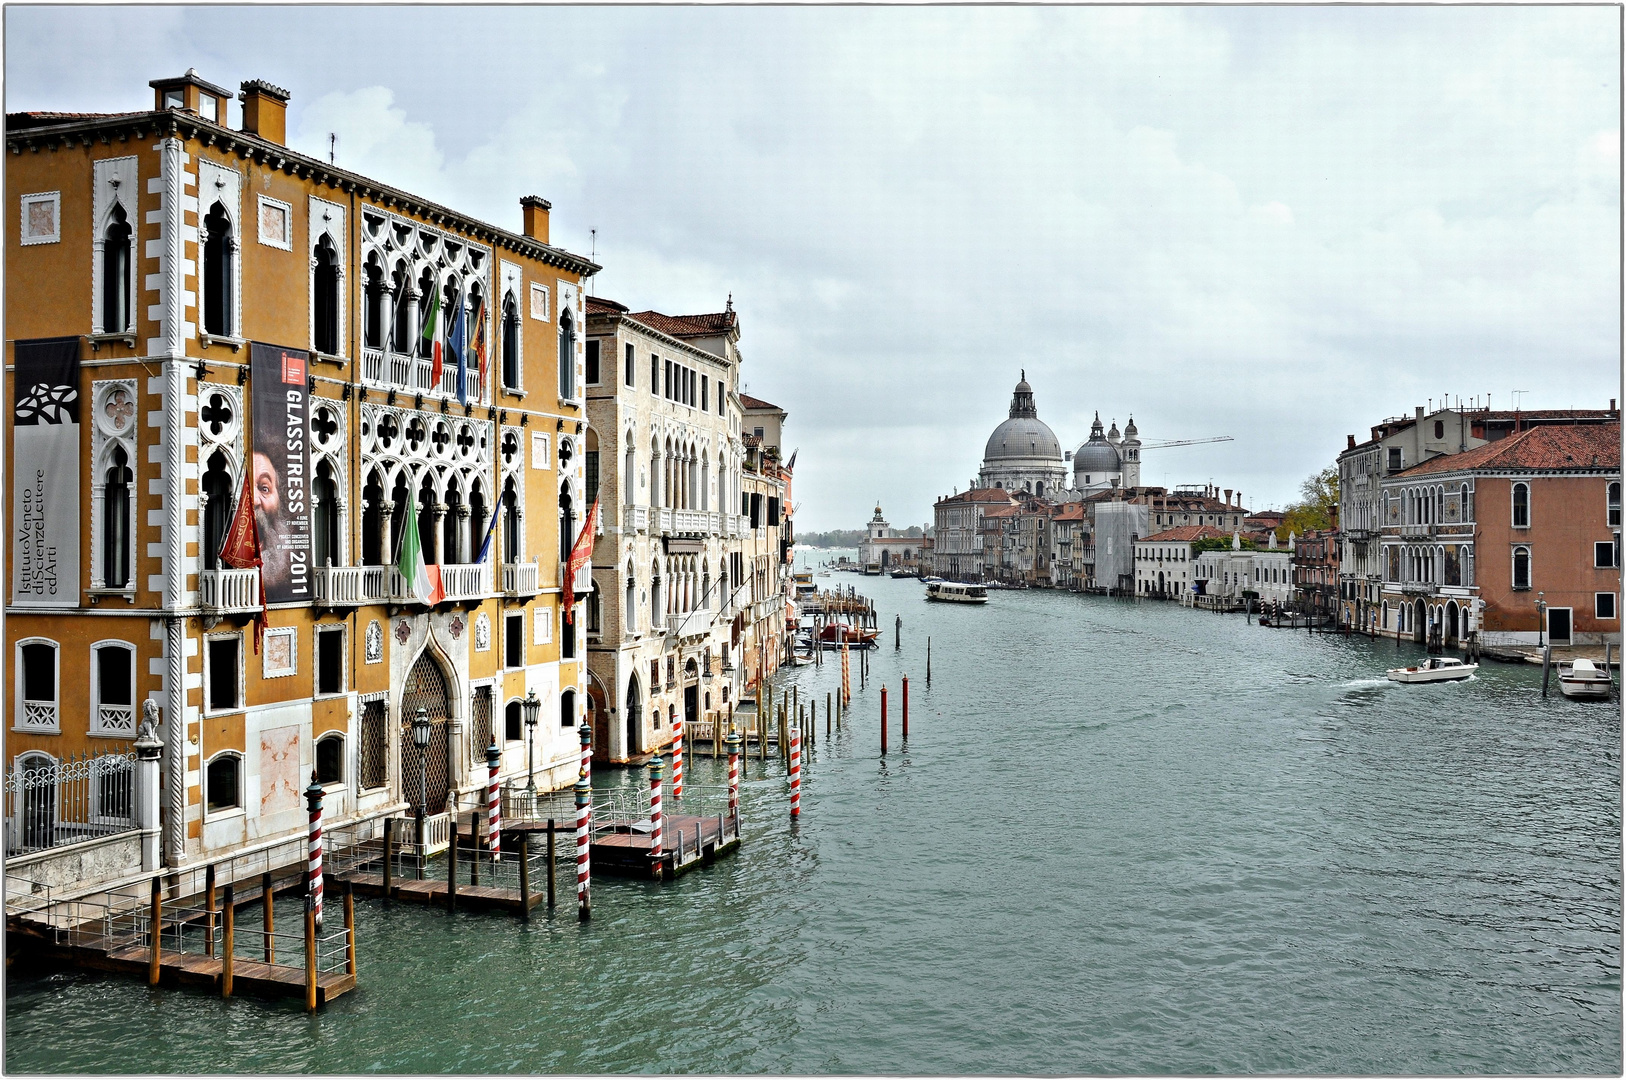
(64, 803)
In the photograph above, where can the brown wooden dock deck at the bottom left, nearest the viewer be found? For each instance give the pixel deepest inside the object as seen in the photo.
(188, 970)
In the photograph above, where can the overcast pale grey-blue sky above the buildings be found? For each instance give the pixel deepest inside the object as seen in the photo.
(1274, 224)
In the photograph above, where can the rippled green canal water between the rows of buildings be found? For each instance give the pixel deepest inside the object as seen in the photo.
(1121, 838)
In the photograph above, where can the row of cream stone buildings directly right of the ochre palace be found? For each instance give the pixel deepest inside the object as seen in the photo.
(684, 539)
